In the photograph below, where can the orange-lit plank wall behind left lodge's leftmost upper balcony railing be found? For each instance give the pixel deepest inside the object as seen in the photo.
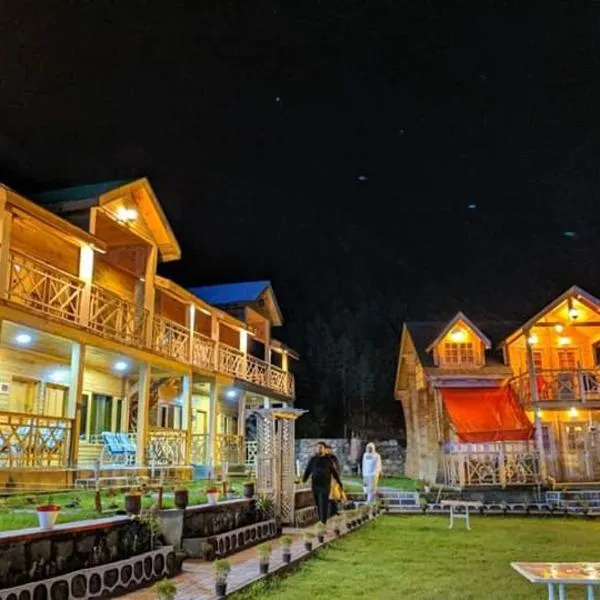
(36, 242)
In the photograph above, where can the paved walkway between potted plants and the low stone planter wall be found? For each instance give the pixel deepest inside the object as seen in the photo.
(197, 581)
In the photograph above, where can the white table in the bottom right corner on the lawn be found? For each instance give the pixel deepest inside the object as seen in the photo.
(559, 575)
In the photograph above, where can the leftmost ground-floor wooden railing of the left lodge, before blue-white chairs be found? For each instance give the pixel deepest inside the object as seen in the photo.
(34, 441)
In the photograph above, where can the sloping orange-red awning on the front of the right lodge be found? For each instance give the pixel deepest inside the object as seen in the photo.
(486, 414)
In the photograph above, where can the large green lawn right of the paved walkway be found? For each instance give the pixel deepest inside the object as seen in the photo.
(418, 557)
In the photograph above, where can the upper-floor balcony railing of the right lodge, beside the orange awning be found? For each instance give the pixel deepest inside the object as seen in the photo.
(564, 386)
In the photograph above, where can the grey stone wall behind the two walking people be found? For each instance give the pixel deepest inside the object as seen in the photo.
(350, 453)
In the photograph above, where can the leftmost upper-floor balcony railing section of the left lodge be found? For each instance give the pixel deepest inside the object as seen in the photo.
(44, 288)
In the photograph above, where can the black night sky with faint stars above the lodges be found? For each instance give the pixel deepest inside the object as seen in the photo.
(403, 158)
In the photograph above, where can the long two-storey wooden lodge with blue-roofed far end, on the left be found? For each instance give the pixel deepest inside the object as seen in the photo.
(104, 362)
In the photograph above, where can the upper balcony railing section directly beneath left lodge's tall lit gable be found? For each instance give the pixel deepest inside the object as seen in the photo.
(116, 318)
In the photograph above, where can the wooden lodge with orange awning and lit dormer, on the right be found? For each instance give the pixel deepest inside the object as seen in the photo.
(501, 404)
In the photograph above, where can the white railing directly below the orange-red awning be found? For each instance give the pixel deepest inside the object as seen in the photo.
(493, 464)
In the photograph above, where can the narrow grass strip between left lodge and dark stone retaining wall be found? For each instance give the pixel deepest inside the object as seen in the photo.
(18, 511)
